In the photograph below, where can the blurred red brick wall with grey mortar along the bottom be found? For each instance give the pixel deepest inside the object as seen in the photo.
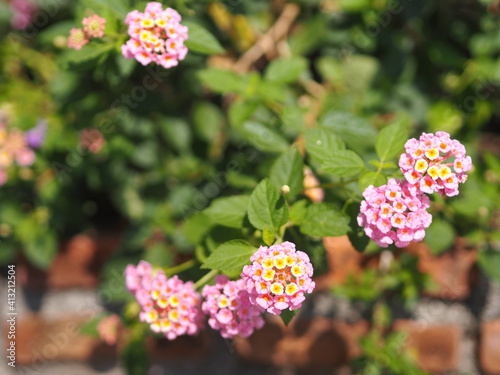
(453, 330)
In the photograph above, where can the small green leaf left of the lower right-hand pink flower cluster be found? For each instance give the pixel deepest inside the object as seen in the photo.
(324, 220)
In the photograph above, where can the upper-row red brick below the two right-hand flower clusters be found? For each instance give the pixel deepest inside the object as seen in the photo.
(453, 272)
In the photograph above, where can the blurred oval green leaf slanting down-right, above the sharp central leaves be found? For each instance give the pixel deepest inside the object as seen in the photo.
(264, 138)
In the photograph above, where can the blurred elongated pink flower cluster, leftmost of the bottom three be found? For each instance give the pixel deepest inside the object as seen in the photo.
(169, 305)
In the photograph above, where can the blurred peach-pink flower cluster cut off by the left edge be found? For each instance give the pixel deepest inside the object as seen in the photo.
(15, 149)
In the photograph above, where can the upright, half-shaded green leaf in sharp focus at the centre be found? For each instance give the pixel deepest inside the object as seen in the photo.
(267, 207)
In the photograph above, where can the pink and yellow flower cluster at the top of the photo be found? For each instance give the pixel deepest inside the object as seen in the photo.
(156, 36)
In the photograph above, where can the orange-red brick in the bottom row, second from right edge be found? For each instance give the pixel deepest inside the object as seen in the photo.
(436, 347)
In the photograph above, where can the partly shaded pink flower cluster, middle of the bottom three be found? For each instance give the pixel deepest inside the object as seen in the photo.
(229, 309)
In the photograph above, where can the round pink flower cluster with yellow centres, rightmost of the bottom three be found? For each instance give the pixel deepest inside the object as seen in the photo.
(278, 278)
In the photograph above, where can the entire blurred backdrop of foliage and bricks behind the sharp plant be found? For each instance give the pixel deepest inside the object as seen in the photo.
(119, 157)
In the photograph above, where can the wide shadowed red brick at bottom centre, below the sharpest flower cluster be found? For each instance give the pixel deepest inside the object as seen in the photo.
(306, 344)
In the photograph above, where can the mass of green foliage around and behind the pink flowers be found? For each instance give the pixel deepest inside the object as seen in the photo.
(196, 156)
